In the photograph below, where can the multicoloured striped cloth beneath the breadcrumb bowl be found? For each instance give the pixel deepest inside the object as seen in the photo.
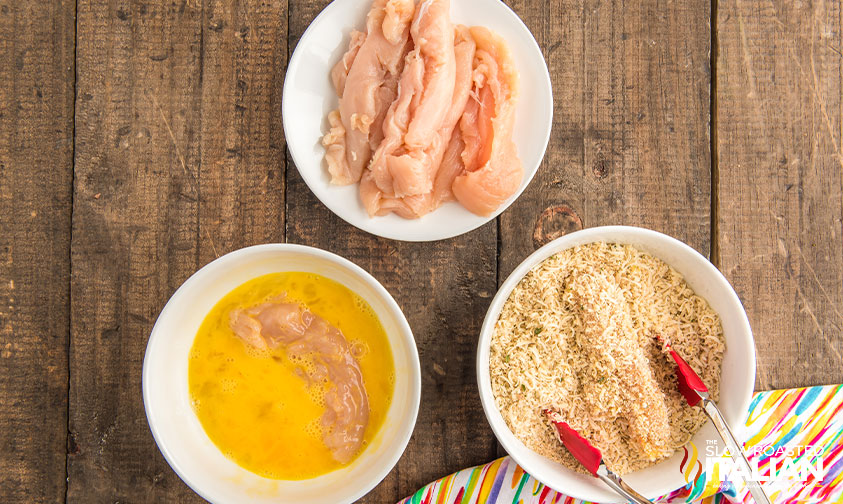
(802, 425)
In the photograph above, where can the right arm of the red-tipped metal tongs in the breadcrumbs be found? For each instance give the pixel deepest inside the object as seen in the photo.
(696, 393)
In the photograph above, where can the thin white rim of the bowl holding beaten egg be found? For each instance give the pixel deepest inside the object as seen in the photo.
(231, 258)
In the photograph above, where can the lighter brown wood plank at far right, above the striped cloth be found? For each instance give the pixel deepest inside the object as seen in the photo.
(779, 128)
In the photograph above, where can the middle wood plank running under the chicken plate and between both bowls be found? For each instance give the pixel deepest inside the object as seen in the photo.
(444, 289)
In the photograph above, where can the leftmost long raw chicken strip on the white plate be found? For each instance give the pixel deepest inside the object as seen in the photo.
(375, 66)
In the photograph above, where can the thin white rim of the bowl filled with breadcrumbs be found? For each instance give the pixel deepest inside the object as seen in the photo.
(589, 235)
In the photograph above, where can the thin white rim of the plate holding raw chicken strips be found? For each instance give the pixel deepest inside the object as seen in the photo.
(371, 226)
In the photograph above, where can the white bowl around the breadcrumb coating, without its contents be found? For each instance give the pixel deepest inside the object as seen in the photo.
(737, 378)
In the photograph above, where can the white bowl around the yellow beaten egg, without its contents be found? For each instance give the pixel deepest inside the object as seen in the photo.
(176, 428)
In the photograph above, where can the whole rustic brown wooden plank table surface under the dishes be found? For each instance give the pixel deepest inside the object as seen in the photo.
(141, 139)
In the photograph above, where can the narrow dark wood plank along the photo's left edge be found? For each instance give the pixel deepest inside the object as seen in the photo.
(36, 170)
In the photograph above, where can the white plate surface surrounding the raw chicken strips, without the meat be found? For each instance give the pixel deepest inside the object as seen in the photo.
(309, 95)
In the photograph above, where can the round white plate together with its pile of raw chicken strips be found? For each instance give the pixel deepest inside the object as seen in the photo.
(417, 120)
